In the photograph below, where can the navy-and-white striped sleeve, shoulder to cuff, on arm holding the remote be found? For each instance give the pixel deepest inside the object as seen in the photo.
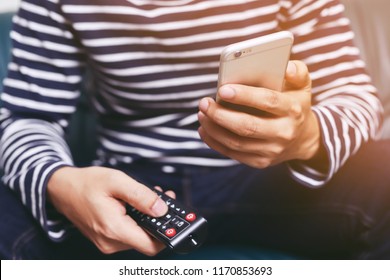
(40, 93)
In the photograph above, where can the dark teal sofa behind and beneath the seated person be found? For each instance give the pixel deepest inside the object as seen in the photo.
(372, 28)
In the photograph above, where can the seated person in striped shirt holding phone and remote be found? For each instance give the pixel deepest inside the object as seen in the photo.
(155, 65)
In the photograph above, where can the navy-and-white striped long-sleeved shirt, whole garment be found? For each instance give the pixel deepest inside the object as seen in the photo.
(152, 61)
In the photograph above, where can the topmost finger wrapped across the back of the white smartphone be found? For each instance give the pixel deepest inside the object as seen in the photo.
(263, 99)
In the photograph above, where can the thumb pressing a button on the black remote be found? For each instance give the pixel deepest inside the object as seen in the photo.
(139, 196)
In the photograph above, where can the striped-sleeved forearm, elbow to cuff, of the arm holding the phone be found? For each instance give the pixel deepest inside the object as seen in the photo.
(344, 129)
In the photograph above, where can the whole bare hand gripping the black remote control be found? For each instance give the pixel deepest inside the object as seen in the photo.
(94, 198)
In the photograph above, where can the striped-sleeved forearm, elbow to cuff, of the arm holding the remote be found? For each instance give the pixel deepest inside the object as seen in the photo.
(31, 150)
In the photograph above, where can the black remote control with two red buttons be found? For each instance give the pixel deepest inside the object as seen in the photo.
(181, 229)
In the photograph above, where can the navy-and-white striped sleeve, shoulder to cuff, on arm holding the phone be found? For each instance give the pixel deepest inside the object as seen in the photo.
(344, 99)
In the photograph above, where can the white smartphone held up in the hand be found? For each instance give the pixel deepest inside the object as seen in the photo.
(258, 62)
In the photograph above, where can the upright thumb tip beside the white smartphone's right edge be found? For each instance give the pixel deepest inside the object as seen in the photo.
(297, 76)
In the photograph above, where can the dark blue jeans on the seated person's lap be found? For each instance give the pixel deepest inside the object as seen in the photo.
(264, 211)
